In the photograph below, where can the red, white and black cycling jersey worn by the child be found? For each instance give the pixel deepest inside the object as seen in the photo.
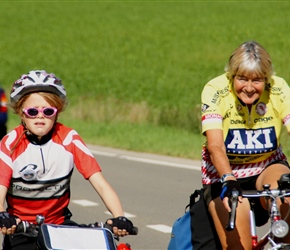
(38, 175)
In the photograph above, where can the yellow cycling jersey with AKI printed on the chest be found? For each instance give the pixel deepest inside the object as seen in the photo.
(252, 139)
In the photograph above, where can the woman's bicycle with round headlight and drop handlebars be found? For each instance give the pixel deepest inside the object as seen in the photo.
(278, 226)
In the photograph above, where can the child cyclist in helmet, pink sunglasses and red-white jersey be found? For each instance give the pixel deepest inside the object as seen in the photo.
(37, 160)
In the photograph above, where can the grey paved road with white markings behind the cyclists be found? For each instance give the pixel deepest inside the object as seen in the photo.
(153, 189)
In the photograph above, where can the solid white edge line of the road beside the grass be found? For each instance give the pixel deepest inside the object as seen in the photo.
(146, 160)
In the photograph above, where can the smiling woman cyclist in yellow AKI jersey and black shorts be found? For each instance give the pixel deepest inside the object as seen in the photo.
(243, 111)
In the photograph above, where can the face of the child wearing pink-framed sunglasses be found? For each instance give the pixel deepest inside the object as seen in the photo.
(40, 125)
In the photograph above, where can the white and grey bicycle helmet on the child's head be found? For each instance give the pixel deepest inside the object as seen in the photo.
(34, 81)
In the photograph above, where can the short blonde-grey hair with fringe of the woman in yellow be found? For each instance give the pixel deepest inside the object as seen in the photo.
(250, 58)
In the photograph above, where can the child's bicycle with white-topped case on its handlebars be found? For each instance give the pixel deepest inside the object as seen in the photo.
(79, 236)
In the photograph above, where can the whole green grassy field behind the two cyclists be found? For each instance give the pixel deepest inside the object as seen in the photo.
(134, 70)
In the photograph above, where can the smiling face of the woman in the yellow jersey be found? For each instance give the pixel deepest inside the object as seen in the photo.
(249, 89)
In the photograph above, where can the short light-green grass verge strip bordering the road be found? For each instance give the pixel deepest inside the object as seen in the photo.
(136, 137)
